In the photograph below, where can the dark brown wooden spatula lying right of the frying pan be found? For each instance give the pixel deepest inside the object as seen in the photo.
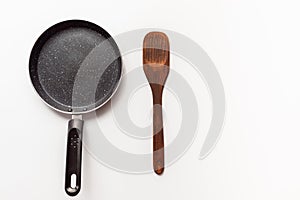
(156, 67)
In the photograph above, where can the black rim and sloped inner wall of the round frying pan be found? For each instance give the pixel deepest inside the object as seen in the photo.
(72, 112)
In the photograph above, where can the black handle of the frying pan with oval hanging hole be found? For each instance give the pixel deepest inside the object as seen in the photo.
(74, 155)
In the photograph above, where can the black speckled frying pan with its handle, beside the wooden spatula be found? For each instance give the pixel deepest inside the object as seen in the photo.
(75, 67)
